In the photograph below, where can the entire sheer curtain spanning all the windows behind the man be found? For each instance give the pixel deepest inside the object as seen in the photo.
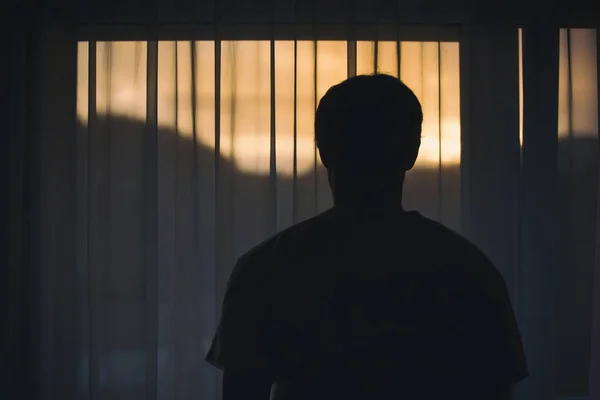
(179, 156)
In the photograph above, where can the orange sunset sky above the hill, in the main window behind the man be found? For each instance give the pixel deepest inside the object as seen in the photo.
(187, 95)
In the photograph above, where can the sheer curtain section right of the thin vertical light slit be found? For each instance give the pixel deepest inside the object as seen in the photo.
(559, 205)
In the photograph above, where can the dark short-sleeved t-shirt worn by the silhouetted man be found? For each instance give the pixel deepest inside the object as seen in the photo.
(375, 303)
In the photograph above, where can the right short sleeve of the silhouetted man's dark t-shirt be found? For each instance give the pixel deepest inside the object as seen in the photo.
(497, 345)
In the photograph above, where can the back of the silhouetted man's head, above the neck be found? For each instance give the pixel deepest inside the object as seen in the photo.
(368, 124)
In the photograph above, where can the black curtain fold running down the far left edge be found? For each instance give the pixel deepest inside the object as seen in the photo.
(20, 83)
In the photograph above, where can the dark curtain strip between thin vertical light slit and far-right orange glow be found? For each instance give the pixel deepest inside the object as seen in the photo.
(539, 219)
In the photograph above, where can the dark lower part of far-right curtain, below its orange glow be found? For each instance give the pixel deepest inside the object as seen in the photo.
(578, 177)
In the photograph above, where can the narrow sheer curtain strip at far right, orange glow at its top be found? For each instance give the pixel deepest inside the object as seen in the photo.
(577, 179)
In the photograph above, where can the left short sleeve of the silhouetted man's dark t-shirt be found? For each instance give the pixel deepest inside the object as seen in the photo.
(239, 343)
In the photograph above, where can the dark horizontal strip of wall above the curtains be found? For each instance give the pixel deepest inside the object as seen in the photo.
(323, 11)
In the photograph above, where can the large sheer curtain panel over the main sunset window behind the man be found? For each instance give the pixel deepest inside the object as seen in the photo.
(186, 154)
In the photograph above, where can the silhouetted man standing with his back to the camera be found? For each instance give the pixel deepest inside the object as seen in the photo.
(366, 300)
